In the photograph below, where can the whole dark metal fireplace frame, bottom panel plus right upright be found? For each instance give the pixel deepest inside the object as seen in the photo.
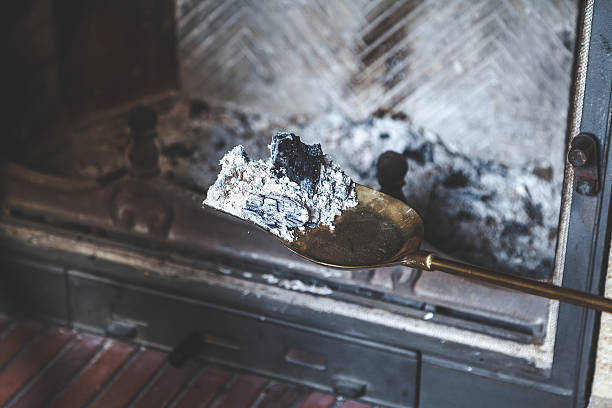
(363, 360)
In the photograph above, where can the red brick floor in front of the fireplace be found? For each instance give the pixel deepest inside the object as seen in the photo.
(58, 367)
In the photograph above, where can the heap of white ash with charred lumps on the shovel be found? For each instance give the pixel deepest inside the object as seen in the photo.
(263, 193)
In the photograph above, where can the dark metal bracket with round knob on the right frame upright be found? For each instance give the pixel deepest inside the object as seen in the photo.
(584, 157)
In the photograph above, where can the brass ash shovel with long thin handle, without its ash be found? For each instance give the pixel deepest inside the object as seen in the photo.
(384, 231)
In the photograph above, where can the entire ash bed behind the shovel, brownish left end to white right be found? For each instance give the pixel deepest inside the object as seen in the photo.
(477, 210)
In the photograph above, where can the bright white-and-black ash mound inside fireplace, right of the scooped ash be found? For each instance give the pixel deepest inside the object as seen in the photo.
(479, 211)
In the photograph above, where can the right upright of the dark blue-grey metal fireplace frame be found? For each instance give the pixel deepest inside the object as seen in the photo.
(588, 244)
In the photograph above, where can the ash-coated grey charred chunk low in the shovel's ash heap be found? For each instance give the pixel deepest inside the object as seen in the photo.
(274, 211)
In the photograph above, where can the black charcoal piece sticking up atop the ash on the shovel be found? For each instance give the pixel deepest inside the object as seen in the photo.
(298, 161)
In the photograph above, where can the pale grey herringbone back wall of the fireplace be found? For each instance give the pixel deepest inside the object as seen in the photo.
(492, 77)
